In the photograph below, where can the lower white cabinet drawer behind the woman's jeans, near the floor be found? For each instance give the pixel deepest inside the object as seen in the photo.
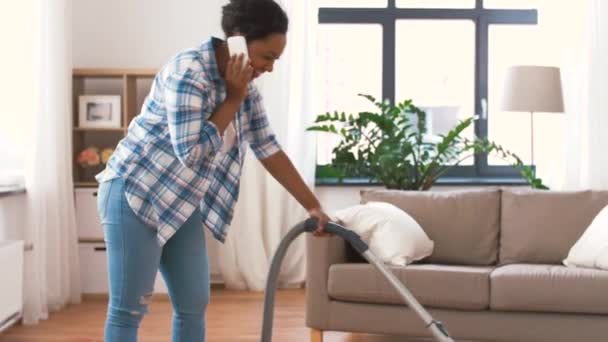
(94, 273)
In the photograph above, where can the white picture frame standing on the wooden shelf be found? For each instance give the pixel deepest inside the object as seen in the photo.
(99, 111)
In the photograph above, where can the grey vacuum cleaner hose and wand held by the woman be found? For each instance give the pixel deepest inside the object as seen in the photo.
(310, 225)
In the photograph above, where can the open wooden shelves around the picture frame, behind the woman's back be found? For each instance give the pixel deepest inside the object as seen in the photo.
(131, 84)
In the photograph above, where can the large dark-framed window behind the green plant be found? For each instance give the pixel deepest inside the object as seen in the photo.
(365, 46)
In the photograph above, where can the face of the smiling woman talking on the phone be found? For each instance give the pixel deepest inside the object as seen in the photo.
(264, 52)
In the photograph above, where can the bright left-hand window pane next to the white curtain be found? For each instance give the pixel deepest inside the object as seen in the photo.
(345, 70)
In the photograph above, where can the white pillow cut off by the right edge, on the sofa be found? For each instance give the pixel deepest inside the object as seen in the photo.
(591, 249)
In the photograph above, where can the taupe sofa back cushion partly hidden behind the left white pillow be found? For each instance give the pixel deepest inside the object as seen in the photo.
(464, 224)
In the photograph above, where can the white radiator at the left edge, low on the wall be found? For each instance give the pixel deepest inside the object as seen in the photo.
(11, 286)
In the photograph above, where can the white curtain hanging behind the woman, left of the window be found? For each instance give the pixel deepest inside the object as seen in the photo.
(265, 211)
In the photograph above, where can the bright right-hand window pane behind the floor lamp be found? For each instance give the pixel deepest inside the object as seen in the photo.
(518, 45)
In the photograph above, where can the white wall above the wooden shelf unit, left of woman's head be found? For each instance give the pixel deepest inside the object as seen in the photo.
(140, 33)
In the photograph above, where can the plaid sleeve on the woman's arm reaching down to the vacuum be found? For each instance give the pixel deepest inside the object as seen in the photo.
(262, 139)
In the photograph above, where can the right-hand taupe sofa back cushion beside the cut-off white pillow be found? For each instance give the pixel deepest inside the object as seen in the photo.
(540, 227)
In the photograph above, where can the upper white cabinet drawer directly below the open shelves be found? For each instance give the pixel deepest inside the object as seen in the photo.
(87, 219)
